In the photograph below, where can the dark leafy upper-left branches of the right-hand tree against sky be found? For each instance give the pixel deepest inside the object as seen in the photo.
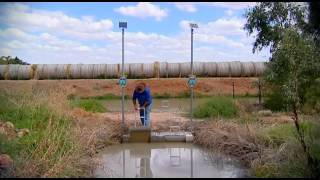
(269, 19)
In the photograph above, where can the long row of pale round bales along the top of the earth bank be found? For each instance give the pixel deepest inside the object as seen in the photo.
(133, 70)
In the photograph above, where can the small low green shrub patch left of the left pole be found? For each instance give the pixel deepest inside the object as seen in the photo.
(90, 105)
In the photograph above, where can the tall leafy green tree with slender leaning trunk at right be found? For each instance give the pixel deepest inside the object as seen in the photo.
(294, 64)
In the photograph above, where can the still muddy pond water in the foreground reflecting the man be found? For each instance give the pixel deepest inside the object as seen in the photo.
(165, 160)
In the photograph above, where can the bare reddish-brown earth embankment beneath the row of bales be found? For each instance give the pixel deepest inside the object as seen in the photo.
(159, 87)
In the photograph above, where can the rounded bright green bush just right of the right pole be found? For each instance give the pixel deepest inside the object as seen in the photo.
(216, 107)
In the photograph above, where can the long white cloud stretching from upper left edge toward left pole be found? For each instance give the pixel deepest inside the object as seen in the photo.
(32, 20)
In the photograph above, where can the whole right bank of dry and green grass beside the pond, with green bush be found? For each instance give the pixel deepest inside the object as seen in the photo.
(266, 143)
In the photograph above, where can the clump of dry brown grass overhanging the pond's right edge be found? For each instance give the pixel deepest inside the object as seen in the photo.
(229, 138)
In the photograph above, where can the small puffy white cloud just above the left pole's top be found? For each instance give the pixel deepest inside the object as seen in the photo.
(143, 10)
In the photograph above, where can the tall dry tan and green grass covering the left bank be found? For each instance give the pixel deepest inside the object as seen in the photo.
(68, 139)
